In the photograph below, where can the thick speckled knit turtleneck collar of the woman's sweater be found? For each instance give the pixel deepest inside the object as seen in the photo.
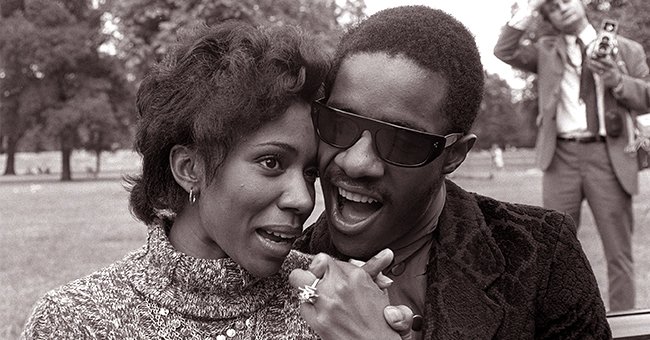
(201, 288)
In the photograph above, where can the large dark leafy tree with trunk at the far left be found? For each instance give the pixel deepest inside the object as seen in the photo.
(53, 45)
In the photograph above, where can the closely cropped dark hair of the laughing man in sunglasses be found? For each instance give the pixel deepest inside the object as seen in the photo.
(434, 40)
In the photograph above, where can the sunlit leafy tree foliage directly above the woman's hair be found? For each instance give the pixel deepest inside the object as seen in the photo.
(146, 28)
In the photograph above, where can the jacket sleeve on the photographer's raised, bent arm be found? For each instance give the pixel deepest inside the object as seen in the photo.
(522, 55)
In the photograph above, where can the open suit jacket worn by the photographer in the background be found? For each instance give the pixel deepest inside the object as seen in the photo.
(547, 58)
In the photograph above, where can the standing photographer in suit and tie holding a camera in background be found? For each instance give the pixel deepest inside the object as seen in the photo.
(587, 101)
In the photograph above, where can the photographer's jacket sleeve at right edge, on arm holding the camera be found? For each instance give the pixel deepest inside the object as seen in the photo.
(634, 92)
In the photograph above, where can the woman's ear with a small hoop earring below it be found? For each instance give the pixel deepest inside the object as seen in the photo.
(185, 167)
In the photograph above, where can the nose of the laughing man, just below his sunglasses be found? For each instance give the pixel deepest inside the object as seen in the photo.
(361, 159)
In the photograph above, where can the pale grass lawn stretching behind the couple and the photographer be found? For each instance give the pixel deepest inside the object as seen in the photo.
(53, 232)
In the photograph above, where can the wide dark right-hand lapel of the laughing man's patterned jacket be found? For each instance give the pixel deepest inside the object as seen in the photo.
(465, 260)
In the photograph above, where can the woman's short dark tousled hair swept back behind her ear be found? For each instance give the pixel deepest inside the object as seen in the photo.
(218, 85)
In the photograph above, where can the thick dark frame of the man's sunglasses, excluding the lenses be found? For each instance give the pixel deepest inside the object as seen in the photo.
(374, 125)
